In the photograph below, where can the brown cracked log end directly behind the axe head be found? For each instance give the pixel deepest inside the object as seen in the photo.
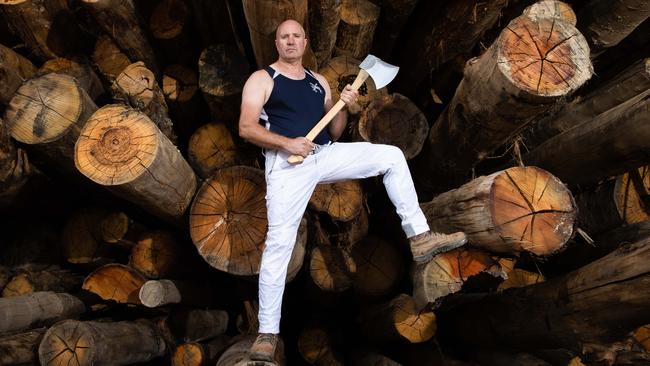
(342, 70)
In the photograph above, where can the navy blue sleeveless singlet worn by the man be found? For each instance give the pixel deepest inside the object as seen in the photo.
(295, 106)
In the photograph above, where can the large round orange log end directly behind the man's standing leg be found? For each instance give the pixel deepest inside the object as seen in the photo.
(228, 220)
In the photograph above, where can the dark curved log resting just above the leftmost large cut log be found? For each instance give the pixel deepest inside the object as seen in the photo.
(82, 72)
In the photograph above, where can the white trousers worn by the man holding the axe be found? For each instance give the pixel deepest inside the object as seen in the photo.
(288, 189)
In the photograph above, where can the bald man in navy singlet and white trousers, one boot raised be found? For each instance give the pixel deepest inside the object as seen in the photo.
(290, 100)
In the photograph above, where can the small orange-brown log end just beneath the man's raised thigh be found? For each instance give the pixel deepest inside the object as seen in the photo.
(342, 201)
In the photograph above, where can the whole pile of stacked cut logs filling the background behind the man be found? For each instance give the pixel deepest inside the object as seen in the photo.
(136, 215)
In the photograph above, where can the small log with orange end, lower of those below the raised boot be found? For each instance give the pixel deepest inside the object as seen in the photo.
(399, 319)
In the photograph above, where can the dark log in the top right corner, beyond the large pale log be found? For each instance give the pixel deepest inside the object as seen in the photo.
(605, 23)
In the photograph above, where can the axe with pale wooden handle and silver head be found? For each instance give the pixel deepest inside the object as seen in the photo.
(381, 73)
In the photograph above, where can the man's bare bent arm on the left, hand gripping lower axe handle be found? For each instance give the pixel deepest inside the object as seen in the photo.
(254, 95)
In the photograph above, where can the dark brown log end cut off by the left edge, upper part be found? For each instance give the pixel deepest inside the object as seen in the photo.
(14, 70)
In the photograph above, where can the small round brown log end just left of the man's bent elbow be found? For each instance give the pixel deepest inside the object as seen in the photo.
(211, 148)
